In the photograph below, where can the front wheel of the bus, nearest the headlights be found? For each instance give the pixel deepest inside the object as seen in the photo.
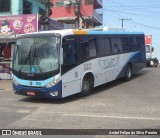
(87, 85)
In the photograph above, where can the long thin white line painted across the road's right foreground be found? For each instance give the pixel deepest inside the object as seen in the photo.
(115, 117)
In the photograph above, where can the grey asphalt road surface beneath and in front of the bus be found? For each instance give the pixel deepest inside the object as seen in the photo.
(116, 105)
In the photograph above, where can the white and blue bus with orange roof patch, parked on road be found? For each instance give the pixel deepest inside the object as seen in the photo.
(57, 64)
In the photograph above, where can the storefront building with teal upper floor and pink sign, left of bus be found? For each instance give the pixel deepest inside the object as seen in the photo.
(16, 17)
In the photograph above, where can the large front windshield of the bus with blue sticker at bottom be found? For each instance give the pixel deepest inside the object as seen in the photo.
(36, 55)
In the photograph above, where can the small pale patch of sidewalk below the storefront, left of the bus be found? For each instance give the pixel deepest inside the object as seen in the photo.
(5, 84)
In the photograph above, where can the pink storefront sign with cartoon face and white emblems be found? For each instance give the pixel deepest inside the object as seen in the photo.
(18, 24)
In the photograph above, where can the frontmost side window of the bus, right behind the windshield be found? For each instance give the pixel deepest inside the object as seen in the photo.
(70, 55)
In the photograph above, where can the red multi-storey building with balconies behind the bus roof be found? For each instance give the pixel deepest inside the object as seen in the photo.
(78, 13)
